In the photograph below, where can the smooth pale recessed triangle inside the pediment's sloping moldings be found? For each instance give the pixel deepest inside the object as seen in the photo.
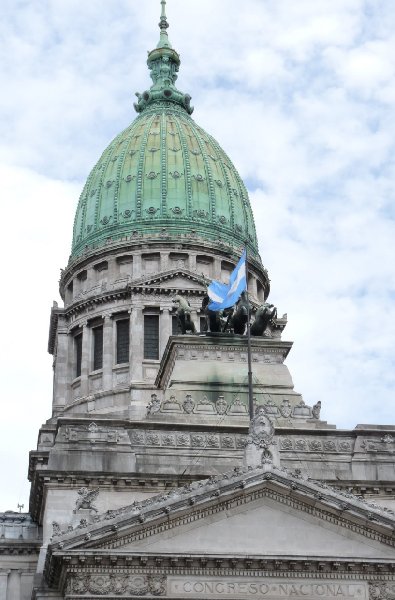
(261, 527)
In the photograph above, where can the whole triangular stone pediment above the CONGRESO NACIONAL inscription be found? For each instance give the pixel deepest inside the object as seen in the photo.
(255, 513)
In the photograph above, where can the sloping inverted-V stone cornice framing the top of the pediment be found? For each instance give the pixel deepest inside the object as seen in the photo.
(195, 502)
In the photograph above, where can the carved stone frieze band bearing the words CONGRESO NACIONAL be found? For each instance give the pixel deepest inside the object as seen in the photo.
(122, 583)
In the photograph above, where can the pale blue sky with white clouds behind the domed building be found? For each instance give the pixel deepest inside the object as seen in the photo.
(299, 93)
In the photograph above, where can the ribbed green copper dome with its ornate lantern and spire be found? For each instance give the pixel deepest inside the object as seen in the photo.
(164, 175)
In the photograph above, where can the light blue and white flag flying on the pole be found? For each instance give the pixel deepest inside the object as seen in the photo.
(225, 295)
